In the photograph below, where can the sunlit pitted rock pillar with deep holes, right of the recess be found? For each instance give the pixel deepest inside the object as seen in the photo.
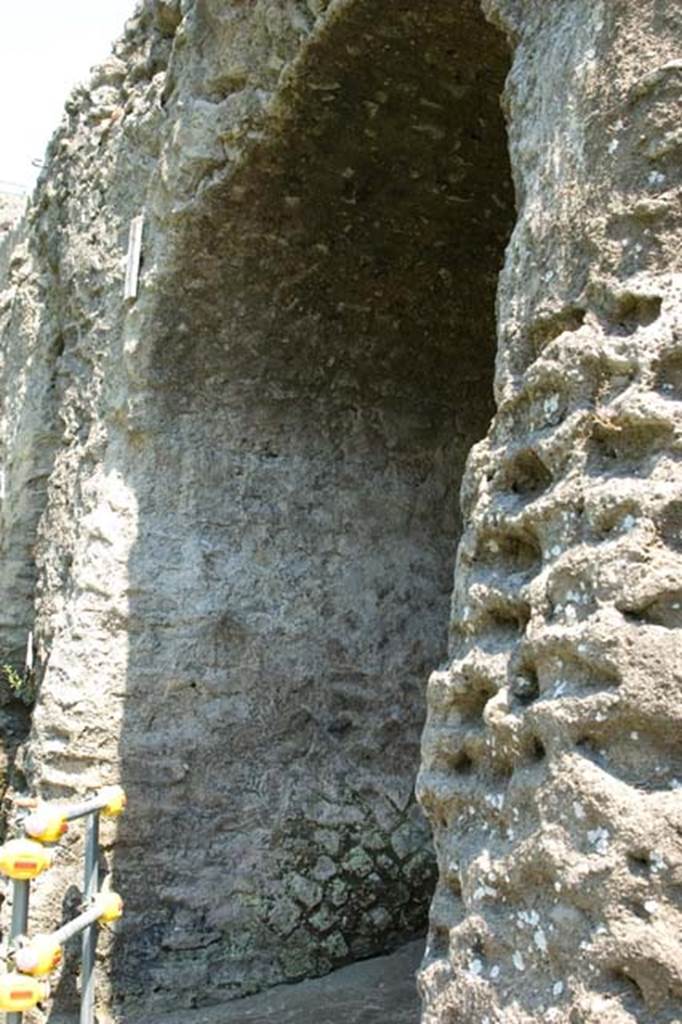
(552, 764)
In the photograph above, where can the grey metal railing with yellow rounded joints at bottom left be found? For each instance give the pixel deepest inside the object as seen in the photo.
(24, 860)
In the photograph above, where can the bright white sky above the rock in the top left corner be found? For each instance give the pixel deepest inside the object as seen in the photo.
(47, 48)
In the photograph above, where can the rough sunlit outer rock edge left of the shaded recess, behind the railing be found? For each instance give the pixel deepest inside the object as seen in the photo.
(61, 324)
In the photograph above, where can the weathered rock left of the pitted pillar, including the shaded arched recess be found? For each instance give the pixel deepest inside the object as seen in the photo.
(248, 517)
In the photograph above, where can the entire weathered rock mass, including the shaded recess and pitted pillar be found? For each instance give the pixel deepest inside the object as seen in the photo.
(230, 511)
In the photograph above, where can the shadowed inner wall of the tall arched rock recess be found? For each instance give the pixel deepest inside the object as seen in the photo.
(322, 362)
